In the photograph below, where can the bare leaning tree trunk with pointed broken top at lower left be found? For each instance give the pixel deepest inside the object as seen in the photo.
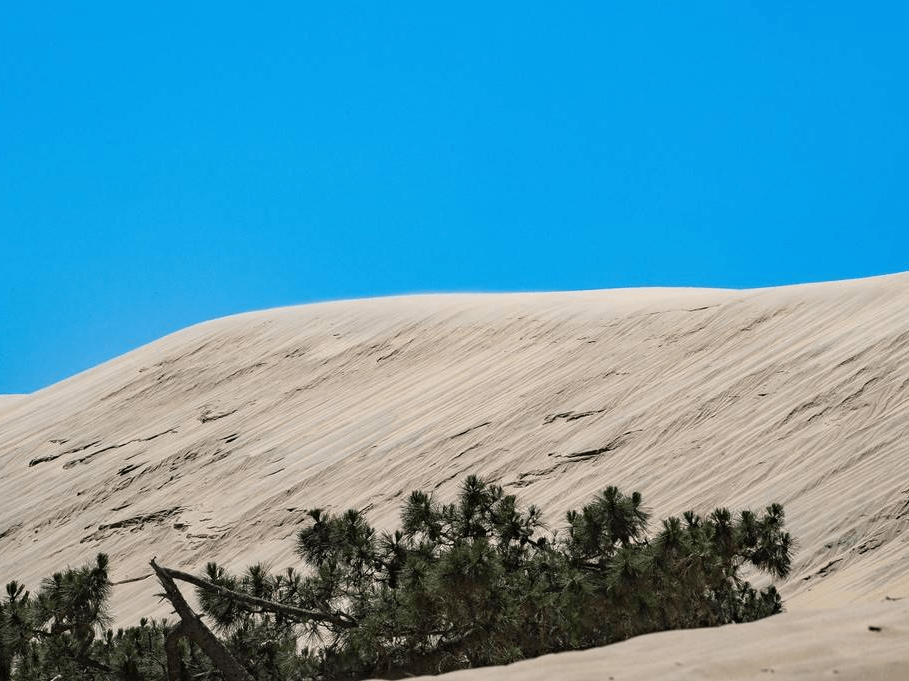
(192, 627)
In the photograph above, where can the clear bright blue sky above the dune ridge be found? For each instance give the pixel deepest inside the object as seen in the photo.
(163, 164)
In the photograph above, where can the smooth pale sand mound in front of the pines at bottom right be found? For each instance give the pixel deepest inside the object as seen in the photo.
(861, 643)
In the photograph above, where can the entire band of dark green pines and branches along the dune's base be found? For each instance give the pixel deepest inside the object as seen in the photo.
(475, 582)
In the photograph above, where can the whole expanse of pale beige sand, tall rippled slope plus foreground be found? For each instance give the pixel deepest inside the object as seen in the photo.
(211, 442)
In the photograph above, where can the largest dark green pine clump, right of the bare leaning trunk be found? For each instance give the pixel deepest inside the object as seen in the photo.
(477, 582)
